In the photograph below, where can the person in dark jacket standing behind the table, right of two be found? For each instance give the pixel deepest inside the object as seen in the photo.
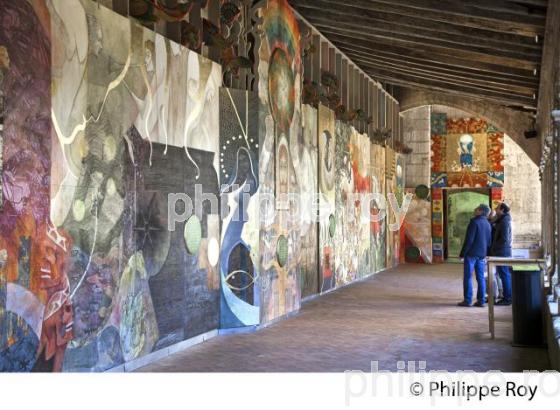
(501, 246)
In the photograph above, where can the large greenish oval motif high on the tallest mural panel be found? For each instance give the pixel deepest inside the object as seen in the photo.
(281, 89)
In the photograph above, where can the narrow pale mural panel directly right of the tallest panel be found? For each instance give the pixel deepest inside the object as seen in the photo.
(309, 228)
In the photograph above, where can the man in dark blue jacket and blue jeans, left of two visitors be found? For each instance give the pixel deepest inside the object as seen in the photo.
(475, 249)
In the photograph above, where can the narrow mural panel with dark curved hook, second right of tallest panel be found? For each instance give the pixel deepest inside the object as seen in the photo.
(327, 217)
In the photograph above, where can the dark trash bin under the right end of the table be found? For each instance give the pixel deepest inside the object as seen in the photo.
(527, 307)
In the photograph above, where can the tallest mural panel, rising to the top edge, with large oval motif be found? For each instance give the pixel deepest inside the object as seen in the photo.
(280, 128)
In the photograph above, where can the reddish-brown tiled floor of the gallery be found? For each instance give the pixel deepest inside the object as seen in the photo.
(407, 314)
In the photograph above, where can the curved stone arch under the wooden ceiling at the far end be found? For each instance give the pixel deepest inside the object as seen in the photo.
(514, 123)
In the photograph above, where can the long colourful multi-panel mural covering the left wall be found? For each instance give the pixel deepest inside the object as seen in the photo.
(107, 131)
